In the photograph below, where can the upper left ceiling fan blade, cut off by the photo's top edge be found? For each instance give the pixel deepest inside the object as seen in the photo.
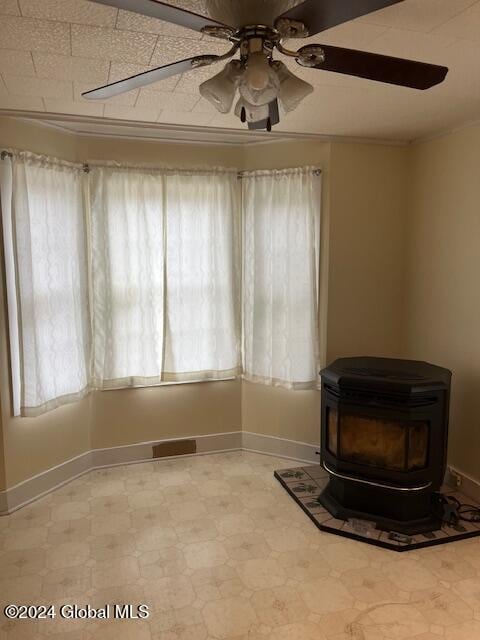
(164, 11)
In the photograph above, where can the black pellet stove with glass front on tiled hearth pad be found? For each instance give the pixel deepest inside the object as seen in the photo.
(384, 431)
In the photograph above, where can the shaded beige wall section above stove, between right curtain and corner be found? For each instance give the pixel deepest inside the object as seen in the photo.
(368, 199)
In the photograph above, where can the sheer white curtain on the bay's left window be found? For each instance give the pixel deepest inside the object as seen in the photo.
(46, 268)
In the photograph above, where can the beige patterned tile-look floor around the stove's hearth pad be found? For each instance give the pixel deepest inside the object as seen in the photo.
(219, 551)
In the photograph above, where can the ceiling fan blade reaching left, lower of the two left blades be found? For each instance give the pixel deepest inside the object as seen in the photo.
(149, 77)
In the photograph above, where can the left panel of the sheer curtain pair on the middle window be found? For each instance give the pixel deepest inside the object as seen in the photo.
(128, 276)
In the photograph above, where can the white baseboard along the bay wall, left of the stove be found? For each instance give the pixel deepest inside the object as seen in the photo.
(43, 483)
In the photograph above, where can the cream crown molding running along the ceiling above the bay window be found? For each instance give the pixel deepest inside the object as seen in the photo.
(87, 126)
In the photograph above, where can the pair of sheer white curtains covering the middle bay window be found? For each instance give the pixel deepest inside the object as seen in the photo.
(164, 252)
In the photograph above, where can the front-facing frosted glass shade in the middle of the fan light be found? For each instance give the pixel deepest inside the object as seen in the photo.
(259, 84)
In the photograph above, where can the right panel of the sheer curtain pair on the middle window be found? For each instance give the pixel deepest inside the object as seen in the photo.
(202, 263)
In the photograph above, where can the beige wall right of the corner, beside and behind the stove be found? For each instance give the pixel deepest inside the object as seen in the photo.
(443, 319)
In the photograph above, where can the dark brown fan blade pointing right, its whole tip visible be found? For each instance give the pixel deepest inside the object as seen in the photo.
(373, 66)
